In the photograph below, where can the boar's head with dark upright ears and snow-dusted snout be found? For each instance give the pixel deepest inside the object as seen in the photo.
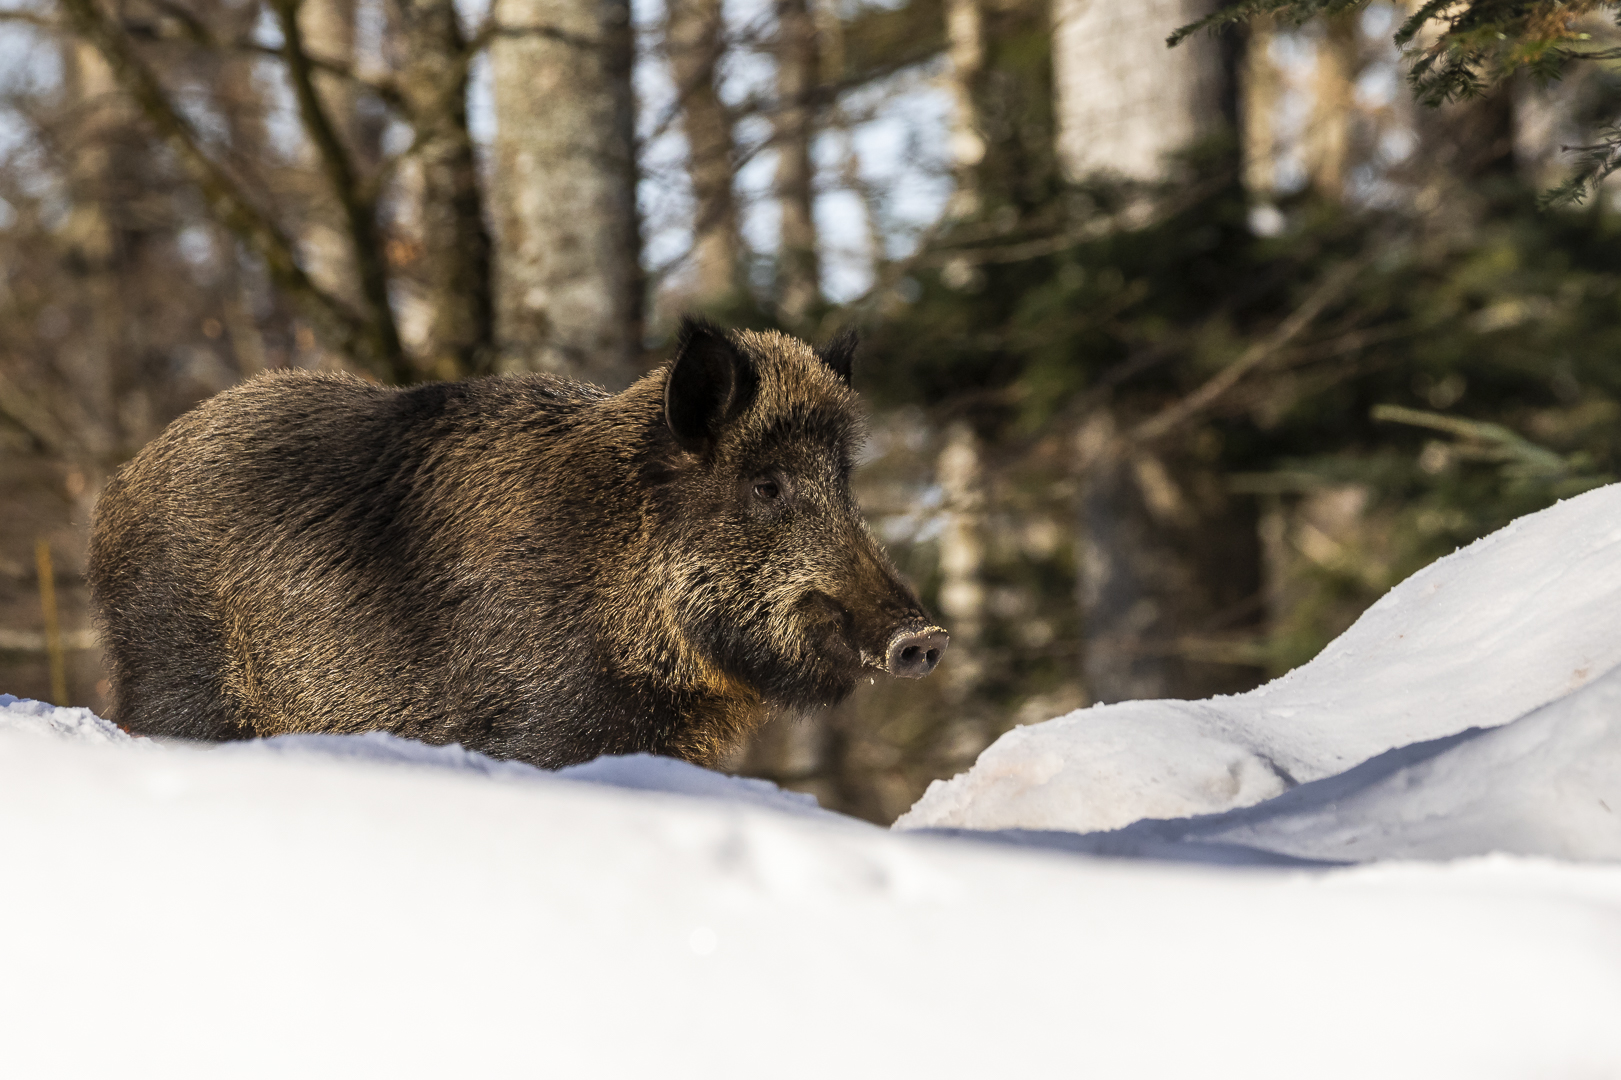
(779, 581)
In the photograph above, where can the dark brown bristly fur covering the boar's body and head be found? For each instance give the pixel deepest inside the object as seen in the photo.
(528, 567)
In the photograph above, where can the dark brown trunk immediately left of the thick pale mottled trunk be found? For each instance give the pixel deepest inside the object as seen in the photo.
(456, 247)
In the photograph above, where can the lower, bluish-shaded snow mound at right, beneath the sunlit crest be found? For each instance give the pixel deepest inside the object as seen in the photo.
(1547, 784)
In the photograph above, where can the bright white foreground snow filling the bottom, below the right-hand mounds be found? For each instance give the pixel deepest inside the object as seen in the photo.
(362, 907)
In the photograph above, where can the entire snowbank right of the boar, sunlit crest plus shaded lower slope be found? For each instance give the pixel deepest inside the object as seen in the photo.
(1484, 638)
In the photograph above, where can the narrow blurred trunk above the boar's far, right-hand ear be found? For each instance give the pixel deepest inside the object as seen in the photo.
(798, 66)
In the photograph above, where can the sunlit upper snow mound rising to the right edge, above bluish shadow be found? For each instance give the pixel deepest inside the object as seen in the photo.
(1478, 640)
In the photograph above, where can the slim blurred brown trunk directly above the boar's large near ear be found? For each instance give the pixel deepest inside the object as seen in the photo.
(696, 41)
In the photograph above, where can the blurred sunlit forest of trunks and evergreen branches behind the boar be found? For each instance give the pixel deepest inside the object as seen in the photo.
(1178, 358)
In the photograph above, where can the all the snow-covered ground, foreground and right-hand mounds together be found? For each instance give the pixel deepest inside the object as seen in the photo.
(357, 907)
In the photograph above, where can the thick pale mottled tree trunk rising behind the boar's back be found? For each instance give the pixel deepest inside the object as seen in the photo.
(568, 283)
